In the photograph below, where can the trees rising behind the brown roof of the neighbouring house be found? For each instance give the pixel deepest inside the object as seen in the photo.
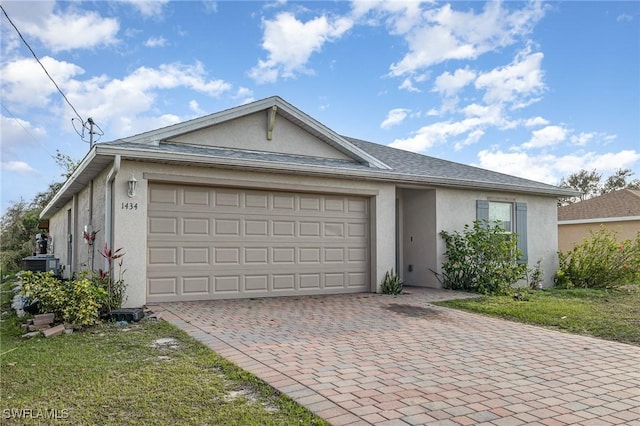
(590, 184)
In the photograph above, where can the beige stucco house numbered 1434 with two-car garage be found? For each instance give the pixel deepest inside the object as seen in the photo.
(263, 200)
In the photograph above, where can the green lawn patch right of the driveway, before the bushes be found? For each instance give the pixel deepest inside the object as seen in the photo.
(607, 314)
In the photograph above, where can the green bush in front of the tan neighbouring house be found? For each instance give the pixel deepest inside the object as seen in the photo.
(600, 261)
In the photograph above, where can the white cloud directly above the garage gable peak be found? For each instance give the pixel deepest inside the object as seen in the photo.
(290, 44)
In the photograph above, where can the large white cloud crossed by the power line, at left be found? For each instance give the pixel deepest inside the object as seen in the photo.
(120, 106)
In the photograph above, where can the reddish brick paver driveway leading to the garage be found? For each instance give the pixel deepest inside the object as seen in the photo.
(384, 360)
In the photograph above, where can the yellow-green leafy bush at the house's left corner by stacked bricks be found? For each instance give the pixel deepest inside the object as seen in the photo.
(78, 302)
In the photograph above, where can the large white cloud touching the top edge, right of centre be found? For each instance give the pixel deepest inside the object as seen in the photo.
(444, 34)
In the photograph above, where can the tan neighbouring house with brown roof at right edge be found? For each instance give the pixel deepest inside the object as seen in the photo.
(618, 211)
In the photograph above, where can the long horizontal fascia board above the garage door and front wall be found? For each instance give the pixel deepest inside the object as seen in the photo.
(261, 165)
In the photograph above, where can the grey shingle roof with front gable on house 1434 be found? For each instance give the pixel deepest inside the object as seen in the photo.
(369, 160)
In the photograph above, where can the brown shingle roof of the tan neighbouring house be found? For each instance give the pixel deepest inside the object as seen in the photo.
(620, 203)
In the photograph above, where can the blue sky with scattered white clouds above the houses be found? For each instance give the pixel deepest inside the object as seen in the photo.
(534, 89)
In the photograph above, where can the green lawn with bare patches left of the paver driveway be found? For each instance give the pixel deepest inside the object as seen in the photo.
(114, 375)
